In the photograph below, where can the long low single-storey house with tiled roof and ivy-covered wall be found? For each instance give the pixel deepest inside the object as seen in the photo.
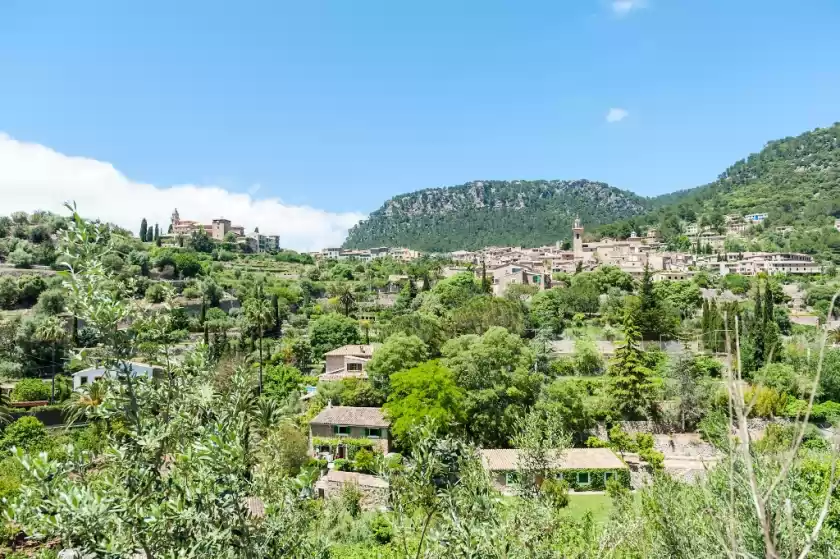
(583, 468)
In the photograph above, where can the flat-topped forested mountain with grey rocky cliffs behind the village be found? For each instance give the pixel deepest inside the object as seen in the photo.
(483, 213)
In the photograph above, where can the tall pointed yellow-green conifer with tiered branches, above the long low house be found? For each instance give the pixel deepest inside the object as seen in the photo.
(632, 386)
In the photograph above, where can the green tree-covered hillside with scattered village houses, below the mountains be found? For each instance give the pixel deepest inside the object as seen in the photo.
(560, 372)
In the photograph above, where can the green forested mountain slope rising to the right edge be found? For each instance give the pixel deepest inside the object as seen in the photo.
(796, 181)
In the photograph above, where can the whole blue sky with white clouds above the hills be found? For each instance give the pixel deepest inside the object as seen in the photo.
(303, 117)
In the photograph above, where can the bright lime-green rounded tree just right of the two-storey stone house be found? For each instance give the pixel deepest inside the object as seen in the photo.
(426, 394)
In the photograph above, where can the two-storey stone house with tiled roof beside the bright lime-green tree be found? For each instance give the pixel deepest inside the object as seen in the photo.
(338, 422)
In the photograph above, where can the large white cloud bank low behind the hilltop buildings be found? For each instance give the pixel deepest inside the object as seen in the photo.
(35, 177)
